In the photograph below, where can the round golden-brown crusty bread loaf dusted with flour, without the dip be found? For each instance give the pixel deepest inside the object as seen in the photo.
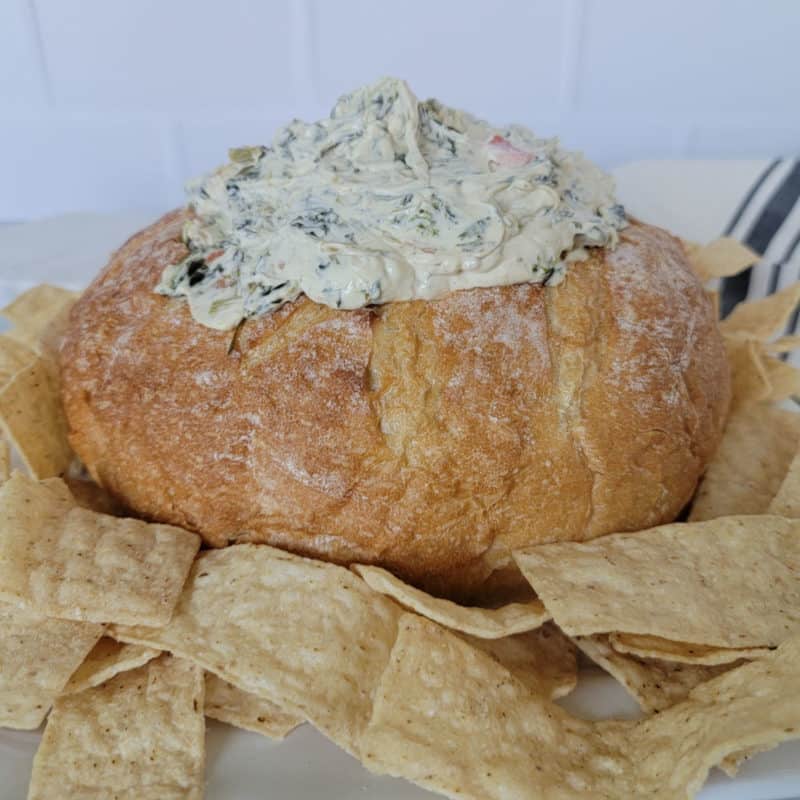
(427, 437)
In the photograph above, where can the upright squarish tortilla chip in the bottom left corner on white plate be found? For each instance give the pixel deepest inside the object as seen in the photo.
(140, 735)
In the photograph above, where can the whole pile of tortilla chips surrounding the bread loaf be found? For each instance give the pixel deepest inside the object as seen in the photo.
(125, 636)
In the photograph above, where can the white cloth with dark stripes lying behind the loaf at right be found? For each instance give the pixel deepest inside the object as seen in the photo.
(756, 202)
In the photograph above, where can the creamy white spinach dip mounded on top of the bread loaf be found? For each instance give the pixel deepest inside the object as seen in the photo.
(388, 199)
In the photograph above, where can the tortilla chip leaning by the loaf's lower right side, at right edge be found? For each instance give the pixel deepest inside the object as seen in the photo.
(751, 462)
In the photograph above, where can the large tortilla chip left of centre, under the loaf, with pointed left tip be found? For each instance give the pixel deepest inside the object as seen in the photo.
(309, 636)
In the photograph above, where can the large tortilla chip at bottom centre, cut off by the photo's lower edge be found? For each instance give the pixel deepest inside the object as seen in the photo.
(453, 720)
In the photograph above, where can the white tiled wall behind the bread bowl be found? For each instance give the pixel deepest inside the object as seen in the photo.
(112, 104)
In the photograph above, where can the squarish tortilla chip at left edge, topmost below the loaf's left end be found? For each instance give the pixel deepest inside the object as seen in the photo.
(72, 563)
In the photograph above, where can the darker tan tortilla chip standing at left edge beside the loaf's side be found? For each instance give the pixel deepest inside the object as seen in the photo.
(32, 418)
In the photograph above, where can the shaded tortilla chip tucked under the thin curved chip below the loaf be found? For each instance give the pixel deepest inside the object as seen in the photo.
(545, 660)
